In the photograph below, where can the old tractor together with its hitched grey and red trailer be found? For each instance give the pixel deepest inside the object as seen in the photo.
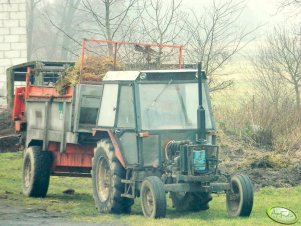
(136, 133)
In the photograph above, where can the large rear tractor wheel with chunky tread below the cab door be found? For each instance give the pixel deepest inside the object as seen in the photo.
(107, 173)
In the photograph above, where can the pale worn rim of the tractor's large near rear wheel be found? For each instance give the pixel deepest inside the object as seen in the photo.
(103, 179)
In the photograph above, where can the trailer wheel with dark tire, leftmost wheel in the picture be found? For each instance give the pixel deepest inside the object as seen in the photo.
(36, 172)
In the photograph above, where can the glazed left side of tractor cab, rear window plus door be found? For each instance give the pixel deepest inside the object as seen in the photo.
(117, 112)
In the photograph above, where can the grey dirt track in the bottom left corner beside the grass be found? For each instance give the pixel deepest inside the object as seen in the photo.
(12, 214)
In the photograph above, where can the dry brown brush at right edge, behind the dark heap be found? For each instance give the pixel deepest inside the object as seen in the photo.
(275, 126)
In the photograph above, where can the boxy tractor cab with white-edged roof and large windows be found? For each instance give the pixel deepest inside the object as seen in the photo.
(147, 109)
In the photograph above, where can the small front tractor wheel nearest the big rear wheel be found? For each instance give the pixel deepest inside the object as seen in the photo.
(153, 198)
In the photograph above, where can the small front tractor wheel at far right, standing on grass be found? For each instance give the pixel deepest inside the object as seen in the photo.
(240, 197)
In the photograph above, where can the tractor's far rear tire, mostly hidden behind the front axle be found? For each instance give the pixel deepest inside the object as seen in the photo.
(190, 201)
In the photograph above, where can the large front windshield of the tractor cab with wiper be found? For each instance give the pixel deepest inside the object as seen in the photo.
(168, 106)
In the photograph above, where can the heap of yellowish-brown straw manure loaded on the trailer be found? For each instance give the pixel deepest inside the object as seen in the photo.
(94, 69)
